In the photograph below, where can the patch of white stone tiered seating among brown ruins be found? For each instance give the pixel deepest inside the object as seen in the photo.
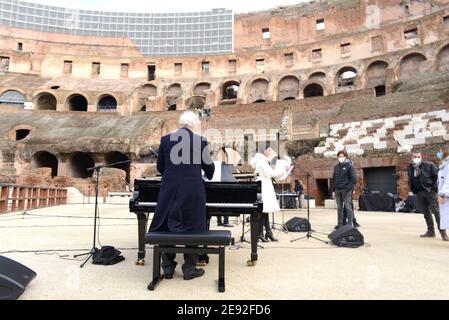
(400, 133)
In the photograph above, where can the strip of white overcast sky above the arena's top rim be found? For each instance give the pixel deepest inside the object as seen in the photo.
(168, 5)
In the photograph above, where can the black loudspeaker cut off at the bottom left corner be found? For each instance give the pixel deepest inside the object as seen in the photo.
(14, 277)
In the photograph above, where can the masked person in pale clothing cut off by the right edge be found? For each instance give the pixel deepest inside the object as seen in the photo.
(443, 188)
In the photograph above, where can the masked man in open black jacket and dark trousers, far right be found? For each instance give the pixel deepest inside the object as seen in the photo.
(423, 182)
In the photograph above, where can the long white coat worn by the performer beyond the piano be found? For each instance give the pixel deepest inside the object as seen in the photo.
(266, 173)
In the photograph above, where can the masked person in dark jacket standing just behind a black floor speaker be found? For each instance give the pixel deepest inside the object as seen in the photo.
(345, 178)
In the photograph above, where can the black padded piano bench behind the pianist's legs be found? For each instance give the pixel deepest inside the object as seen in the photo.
(169, 242)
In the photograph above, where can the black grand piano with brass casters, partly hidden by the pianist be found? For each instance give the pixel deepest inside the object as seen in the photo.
(222, 198)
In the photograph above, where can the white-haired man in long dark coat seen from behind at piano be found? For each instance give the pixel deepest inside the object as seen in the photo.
(181, 205)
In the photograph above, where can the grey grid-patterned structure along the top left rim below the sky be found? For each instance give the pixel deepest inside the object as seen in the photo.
(209, 32)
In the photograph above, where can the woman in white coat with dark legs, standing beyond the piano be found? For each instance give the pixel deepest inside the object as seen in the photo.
(270, 203)
